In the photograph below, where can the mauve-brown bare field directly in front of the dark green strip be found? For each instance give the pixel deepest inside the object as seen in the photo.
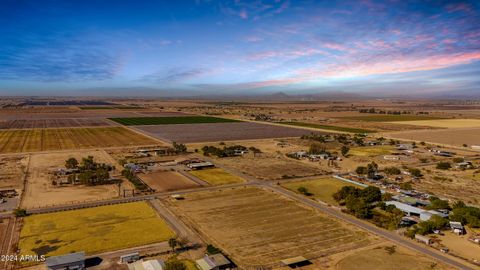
(194, 133)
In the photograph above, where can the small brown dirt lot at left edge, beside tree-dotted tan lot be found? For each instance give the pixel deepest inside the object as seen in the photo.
(12, 171)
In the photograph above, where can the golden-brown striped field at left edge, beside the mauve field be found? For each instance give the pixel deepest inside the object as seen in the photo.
(33, 140)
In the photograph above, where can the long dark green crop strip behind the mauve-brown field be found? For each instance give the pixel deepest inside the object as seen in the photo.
(136, 121)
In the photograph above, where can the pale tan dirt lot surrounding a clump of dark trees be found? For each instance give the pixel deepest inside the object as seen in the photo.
(40, 192)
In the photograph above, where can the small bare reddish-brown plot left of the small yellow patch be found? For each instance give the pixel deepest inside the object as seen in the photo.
(162, 181)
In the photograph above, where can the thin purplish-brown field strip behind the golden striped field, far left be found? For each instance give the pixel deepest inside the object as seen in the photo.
(53, 123)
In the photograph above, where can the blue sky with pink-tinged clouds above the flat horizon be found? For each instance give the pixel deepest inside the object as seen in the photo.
(235, 47)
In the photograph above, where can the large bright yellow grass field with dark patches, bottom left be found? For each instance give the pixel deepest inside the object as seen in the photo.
(93, 230)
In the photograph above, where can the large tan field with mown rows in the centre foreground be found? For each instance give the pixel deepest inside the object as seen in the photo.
(258, 228)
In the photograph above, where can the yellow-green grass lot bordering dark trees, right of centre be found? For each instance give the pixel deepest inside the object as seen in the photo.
(321, 189)
